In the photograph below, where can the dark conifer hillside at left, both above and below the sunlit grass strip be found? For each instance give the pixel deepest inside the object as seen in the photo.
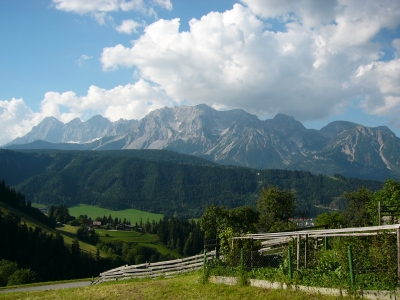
(39, 254)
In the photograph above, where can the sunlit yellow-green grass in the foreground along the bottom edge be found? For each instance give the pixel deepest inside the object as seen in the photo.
(182, 287)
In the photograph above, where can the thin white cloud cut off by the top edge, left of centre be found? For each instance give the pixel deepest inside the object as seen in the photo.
(99, 9)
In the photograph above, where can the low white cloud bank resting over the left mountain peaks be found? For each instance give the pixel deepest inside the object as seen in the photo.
(132, 101)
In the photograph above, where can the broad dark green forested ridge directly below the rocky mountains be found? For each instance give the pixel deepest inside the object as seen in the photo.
(165, 182)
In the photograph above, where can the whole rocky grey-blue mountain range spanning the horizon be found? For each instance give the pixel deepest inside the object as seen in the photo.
(232, 137)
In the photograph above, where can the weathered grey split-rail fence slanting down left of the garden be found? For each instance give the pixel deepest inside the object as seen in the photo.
(163, 268)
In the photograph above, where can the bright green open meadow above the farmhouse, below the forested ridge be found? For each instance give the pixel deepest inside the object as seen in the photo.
(132, 215)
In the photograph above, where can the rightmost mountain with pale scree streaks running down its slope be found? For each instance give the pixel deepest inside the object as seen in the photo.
(358, 152)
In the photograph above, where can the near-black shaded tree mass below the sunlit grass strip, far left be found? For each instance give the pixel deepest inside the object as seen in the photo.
(44, 254)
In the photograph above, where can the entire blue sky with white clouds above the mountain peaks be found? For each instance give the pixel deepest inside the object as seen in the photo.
(318, 61)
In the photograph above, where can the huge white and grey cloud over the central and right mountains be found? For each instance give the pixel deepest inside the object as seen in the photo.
(232, 59)
